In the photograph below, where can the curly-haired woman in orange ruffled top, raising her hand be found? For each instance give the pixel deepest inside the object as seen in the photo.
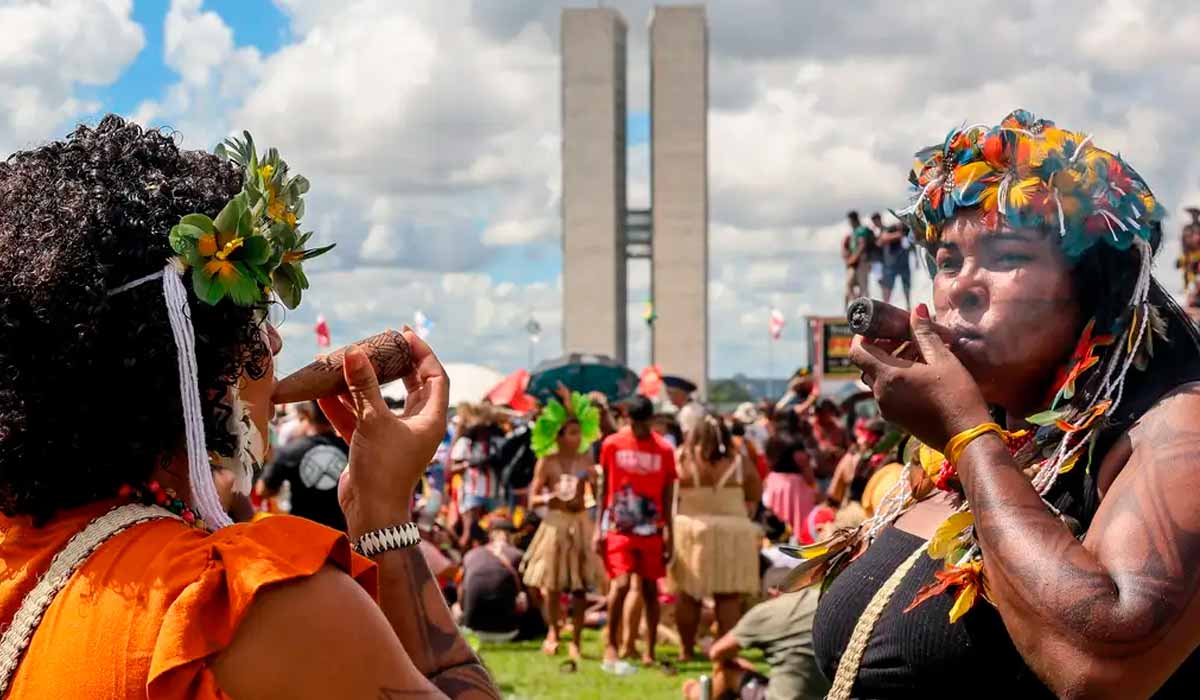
(103, 408)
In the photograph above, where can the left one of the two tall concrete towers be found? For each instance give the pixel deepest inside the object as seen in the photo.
(593, 182)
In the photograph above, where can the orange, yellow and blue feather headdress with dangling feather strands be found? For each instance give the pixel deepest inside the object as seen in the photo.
(1025, 172)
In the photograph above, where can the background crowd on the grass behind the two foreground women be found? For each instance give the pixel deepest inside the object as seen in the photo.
(650, 519)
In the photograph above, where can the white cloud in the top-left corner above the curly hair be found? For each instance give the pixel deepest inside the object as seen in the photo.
(52, 49)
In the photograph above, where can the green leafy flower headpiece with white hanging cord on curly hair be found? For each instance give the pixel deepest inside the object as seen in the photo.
(251, 250)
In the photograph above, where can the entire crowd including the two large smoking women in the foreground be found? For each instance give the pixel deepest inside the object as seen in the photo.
(1009, 507)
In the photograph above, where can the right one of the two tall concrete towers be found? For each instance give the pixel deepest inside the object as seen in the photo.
(680, 189)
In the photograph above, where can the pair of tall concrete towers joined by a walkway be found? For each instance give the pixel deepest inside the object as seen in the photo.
(601, 232)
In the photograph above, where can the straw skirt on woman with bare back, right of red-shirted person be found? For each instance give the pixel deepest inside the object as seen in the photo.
(716, 545)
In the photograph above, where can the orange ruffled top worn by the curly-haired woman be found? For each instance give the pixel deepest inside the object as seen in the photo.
(143, 615)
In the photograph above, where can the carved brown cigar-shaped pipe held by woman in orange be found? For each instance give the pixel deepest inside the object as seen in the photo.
(389, 355)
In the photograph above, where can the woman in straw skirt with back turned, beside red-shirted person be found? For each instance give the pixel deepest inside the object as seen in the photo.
(716, 542)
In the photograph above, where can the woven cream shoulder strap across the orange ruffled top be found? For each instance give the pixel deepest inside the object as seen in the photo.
(64, 565)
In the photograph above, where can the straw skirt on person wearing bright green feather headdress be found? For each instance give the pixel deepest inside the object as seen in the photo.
(561, 557)
